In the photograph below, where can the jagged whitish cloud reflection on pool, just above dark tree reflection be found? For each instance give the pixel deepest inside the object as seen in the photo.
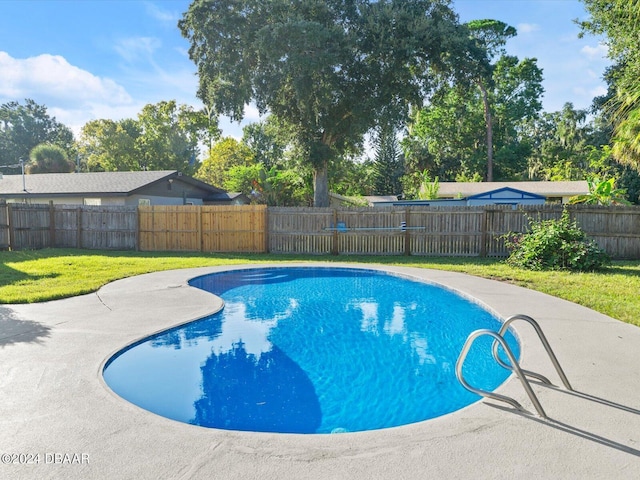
(253, 333)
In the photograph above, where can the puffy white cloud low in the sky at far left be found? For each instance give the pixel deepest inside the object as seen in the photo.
(51, 76)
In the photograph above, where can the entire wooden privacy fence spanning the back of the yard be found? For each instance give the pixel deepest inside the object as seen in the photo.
(442, 231)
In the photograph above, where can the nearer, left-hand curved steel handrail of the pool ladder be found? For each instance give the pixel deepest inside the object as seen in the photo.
(515, 368)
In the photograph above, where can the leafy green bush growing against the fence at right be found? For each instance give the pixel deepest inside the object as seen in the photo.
(555, 245)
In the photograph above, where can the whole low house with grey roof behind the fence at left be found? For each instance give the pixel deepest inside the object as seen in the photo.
(165, 187)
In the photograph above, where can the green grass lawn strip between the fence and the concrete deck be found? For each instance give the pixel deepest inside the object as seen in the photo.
(37, 276)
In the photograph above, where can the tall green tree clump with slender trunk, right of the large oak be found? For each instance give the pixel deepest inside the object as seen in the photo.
(451, 135)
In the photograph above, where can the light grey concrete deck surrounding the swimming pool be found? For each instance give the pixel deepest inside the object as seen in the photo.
(58, 419)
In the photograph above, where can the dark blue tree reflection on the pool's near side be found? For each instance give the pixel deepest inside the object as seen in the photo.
(268, 393)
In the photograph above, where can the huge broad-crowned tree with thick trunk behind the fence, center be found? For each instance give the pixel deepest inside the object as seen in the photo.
(331, 69)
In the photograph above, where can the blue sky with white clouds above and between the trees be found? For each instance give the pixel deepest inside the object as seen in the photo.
(89, 59)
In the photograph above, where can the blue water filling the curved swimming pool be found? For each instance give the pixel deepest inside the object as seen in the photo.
(312, 350)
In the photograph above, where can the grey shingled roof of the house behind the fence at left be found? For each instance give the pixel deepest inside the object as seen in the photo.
(92, 183)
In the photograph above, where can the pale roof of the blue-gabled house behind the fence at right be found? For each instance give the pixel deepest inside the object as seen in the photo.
(547, 189)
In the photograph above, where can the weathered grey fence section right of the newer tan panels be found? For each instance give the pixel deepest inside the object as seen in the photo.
(439, 231)
